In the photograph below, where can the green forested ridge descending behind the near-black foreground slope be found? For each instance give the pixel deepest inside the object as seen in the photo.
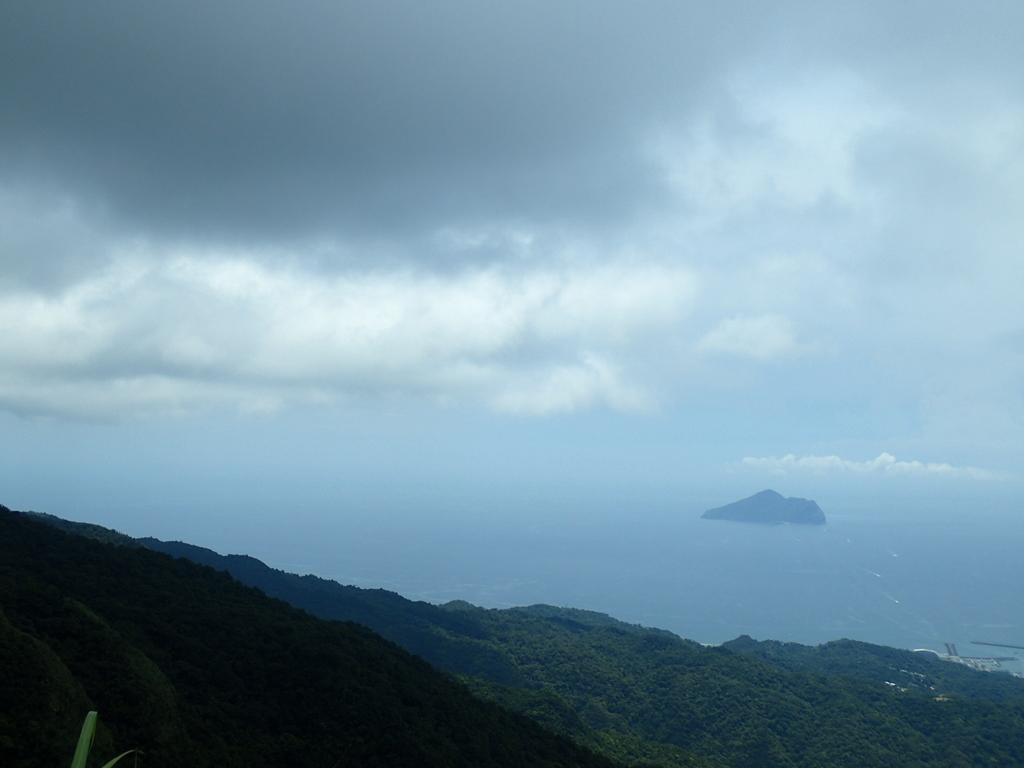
(650, 695)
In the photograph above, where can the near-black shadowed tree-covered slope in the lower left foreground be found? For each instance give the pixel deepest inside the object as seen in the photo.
(195, 669)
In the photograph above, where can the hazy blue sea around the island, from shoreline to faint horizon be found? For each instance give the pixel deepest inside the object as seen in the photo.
(910, 569)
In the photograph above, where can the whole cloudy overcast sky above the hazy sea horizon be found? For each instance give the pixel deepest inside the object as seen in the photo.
(317, 246)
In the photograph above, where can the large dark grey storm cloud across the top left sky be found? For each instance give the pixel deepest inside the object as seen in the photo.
(278, 117)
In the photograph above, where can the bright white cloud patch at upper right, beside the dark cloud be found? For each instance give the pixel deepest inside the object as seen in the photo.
(789, 141)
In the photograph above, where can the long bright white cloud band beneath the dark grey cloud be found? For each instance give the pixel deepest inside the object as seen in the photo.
(194, 331)
